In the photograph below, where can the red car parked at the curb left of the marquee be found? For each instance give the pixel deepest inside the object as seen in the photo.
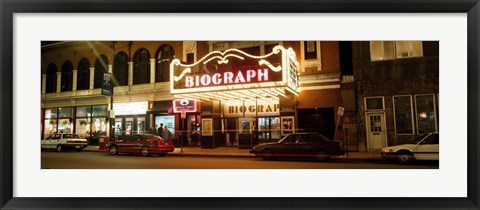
(145, 144)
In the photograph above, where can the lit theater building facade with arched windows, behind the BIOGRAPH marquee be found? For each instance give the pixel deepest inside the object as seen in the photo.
(72, 75)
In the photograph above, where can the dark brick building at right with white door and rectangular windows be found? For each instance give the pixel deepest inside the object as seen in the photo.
(396, 86)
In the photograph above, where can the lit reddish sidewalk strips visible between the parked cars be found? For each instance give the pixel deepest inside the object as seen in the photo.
(235, 152)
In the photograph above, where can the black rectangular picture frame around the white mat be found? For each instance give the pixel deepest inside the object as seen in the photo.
(10, 7)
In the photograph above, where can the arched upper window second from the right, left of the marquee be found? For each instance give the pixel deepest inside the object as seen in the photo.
(141, 69)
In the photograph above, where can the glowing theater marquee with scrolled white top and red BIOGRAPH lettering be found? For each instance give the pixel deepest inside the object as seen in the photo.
(234, 74)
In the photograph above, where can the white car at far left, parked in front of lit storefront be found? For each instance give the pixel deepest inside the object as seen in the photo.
(63, 141)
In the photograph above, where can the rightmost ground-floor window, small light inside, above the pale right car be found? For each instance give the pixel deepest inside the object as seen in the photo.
(426, 121)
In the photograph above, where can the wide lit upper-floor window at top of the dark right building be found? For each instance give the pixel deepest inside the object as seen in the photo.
(388, 50)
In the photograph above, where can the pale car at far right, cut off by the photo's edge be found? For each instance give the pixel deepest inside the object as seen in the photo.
(424, 147)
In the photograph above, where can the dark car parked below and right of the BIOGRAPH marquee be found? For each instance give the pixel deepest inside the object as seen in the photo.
(299, 145)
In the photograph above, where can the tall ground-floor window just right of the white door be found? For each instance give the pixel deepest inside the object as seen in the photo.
(403, 110)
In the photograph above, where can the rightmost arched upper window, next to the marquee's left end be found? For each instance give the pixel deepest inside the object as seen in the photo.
(164, 57)
